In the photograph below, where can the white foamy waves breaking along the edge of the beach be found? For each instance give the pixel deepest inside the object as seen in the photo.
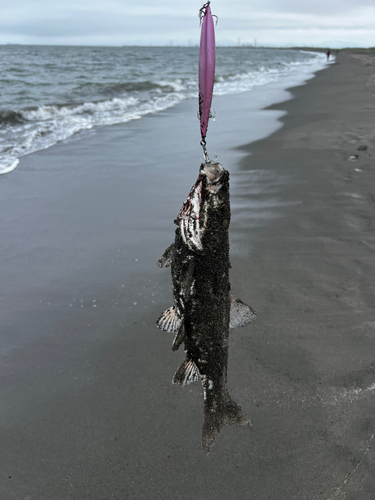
(28, 129)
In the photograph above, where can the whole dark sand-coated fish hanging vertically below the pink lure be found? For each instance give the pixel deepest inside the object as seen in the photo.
(203, 309)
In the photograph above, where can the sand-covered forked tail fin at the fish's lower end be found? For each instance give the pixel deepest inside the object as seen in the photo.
(216, 416)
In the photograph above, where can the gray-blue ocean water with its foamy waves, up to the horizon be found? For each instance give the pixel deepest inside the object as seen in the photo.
(48, 94)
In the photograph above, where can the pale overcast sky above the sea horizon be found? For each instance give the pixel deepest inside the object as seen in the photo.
(334, 23)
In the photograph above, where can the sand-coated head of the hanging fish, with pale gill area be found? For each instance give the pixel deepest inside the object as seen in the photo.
(206, 200)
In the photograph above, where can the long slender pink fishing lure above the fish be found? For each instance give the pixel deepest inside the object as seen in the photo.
(206, 68)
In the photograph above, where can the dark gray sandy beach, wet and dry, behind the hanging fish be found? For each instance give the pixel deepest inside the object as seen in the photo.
(88, 411)
